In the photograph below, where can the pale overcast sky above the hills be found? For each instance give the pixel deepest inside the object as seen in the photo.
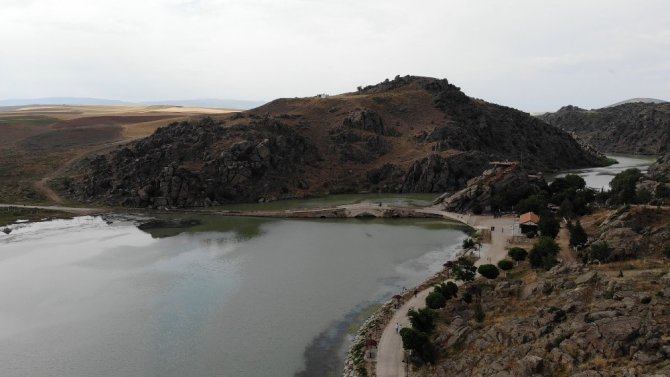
(529, 54)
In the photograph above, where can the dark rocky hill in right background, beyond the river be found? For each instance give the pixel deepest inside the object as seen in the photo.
(638, 127)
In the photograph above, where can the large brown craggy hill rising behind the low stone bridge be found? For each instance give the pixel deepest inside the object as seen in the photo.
(410, 134)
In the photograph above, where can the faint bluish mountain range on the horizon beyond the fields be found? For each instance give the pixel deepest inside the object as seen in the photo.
(85, 101)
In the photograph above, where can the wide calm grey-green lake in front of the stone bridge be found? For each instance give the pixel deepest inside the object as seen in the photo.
(230, 297)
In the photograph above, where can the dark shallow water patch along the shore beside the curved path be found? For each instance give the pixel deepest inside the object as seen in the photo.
(324, 356)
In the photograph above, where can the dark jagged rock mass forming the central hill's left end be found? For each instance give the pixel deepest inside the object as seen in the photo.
(199, 164)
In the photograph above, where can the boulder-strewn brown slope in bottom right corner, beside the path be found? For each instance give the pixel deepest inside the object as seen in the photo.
(601, 326)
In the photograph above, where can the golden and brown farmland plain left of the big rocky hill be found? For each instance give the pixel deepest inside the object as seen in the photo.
(40, 142)
